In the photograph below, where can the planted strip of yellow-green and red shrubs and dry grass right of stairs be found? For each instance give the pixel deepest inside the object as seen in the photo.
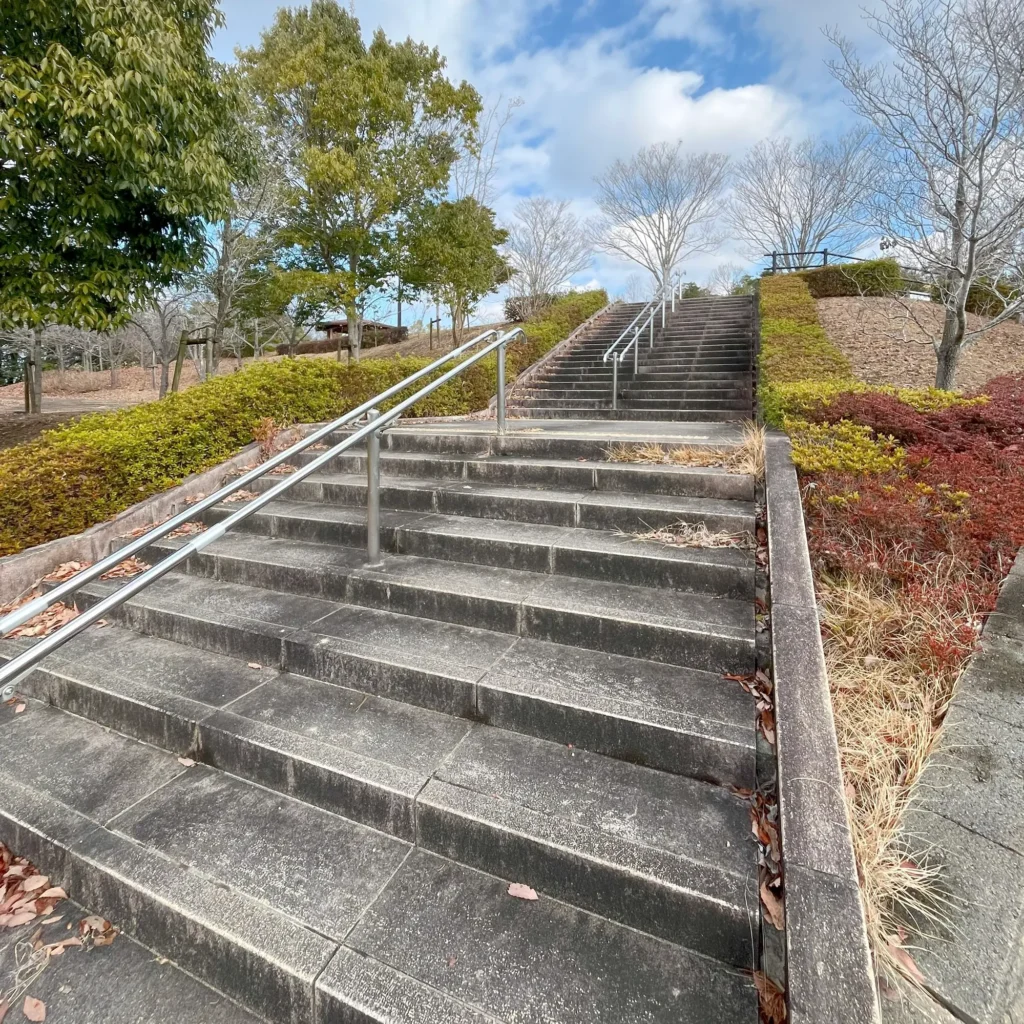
(915, 508)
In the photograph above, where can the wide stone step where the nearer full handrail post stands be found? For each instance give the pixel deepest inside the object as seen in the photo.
(672, 627)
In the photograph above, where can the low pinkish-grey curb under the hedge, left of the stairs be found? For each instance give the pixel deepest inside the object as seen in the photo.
(21, 572)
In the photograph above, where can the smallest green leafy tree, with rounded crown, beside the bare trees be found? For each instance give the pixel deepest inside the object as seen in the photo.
(455, 259)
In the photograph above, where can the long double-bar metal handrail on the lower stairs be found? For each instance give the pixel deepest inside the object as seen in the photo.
(377, 421)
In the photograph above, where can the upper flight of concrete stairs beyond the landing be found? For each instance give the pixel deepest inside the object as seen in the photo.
(700, 369)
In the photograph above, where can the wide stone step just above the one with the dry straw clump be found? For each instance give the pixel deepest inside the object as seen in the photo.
(585, 508)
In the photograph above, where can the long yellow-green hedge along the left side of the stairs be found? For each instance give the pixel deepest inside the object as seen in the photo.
(86, 473)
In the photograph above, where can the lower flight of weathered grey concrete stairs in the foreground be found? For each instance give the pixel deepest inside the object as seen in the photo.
(522, 693)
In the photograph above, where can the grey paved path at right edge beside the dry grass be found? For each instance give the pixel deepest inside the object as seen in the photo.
(969, 810)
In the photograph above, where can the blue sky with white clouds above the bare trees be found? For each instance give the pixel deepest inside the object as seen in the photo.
(602, 78)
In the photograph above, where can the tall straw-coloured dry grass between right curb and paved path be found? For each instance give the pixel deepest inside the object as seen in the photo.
(893, 661)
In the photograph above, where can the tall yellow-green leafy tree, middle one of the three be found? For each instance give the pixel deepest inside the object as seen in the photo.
(366, 134)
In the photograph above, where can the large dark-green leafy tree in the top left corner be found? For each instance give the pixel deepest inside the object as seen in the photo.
(114, 151)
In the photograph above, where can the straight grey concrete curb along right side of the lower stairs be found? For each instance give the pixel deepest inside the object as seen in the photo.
(830, 976)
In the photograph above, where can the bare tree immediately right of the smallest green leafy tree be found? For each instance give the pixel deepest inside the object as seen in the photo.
(546, 246)
